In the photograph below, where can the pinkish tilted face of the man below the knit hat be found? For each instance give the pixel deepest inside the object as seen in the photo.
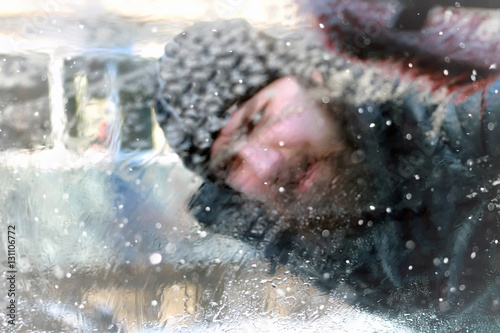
(278, 144)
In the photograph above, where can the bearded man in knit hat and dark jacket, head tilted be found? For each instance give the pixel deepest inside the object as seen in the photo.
(361, 183)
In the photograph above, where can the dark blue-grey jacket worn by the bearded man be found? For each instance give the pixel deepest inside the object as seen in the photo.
(431, 241)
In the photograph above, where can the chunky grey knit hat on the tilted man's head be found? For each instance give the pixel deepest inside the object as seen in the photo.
(213, 66)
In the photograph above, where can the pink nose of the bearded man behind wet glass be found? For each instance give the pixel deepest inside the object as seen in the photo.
(264, 161)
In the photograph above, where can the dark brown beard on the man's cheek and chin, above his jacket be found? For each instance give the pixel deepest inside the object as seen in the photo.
(343, 188)
